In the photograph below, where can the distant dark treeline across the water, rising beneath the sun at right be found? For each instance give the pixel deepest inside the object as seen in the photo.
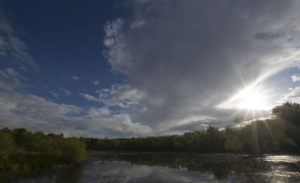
(278, 135)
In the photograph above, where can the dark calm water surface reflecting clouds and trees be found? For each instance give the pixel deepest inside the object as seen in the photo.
(186, 168)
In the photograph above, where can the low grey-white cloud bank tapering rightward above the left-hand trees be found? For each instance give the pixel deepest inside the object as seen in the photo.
(21, 110)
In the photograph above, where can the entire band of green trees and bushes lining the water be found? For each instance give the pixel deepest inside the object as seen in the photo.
(22, 152)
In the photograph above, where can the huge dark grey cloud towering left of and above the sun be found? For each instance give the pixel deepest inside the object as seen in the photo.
(186, 57)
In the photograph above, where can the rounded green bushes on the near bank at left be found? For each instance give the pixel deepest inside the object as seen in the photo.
(23, 152)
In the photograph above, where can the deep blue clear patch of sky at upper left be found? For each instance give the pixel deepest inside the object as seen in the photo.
(64, 40)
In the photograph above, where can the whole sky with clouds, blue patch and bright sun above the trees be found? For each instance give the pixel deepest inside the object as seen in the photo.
(128, 68)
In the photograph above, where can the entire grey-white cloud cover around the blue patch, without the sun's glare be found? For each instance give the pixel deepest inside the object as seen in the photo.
(181, 59)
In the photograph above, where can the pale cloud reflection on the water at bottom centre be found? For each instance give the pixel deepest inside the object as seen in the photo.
(124, 172)
